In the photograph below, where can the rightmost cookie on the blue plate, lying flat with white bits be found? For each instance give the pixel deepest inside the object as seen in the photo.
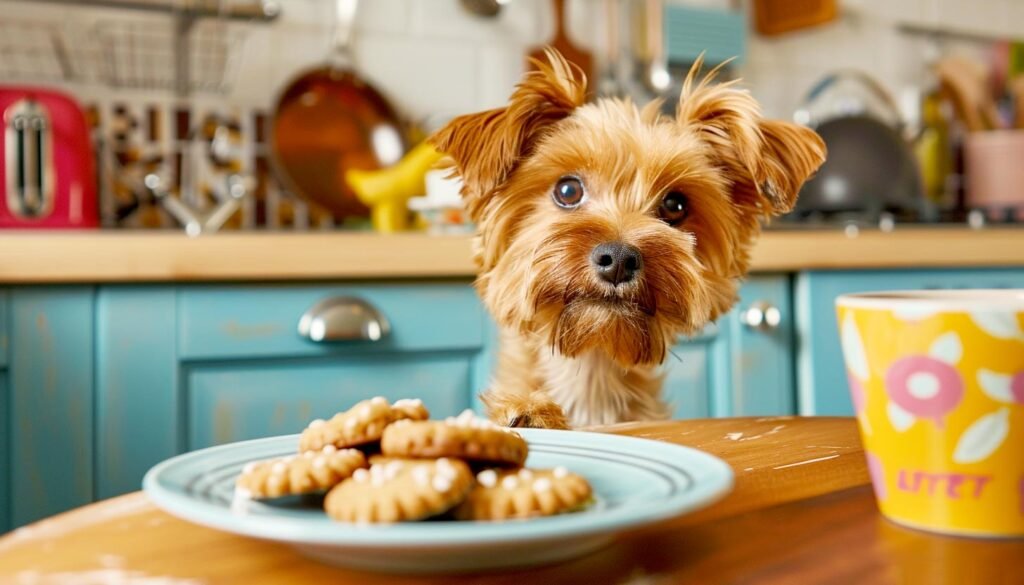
(506, 494)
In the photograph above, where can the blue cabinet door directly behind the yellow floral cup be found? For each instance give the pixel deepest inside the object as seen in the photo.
(822, 374)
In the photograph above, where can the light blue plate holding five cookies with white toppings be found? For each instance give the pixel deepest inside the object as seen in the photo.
(383, 487)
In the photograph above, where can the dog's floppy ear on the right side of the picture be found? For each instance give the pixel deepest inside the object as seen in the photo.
(770, 160)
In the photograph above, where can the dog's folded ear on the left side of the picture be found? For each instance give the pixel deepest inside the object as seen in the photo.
(487, 147)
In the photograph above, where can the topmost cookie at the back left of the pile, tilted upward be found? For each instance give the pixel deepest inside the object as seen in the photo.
(361, 425)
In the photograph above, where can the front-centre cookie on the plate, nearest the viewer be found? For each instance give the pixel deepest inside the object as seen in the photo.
(400, 490)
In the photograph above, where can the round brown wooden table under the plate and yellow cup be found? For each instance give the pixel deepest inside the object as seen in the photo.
(801, 513)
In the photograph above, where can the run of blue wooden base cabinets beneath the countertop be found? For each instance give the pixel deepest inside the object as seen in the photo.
(99, 384)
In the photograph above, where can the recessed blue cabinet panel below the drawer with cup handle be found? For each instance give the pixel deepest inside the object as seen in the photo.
(239, 402)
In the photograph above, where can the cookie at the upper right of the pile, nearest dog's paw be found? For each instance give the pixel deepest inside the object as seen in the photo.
(466, 437)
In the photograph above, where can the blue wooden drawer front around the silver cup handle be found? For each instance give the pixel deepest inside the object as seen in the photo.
(247, 322)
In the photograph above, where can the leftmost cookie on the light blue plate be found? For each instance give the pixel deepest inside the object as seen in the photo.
(312, 472)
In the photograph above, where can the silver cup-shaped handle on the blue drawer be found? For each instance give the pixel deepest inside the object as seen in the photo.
(344, 319)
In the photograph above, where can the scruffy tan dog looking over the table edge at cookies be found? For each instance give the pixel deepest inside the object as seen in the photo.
(606, 231)
